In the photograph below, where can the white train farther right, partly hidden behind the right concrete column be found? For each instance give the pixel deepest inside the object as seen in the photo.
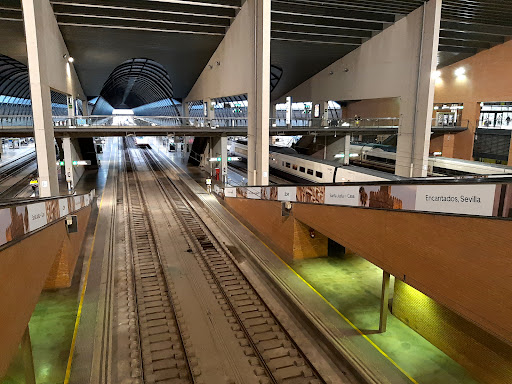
(383, 157)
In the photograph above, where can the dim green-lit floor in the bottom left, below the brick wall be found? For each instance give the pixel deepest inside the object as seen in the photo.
(51, 331)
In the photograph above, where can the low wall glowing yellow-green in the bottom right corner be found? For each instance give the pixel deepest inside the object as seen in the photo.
(488, 359)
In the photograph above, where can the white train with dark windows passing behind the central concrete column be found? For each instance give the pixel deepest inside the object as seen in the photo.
(287, 163)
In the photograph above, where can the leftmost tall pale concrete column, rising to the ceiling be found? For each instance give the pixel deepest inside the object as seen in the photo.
(40, 94)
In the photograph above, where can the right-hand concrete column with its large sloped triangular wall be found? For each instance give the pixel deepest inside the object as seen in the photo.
(397, 63)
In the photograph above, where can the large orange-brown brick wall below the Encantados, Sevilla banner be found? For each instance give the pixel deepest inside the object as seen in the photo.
(462, 263)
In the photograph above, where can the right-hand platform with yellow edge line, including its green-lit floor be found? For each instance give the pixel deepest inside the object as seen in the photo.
(318, 282)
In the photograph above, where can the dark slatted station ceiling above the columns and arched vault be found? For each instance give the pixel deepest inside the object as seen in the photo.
(307, 35)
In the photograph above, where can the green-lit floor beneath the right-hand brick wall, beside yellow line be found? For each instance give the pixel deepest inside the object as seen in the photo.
(353, 286)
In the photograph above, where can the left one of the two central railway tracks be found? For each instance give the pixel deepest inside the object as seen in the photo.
(161, 340)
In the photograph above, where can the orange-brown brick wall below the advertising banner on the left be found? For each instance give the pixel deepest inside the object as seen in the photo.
(25, 272)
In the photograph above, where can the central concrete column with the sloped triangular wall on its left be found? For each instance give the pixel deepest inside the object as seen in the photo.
(237, 68)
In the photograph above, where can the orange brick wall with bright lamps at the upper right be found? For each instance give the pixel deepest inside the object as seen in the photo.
(488, 79)
